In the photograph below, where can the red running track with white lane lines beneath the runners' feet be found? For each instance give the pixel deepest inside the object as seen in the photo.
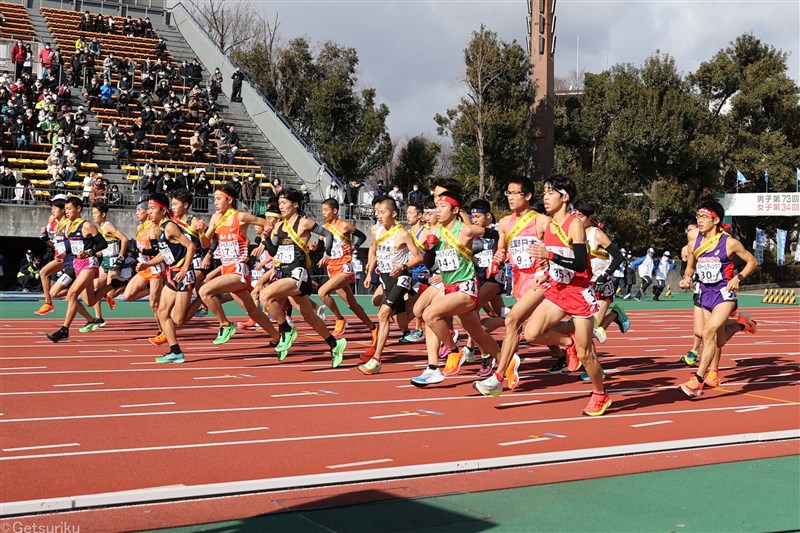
(95, 415)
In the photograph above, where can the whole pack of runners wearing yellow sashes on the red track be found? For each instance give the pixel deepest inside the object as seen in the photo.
(434, 276)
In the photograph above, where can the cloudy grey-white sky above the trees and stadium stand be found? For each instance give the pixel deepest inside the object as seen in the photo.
(412, 51)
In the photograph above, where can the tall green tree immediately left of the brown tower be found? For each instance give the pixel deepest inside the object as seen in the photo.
(490, 126)
